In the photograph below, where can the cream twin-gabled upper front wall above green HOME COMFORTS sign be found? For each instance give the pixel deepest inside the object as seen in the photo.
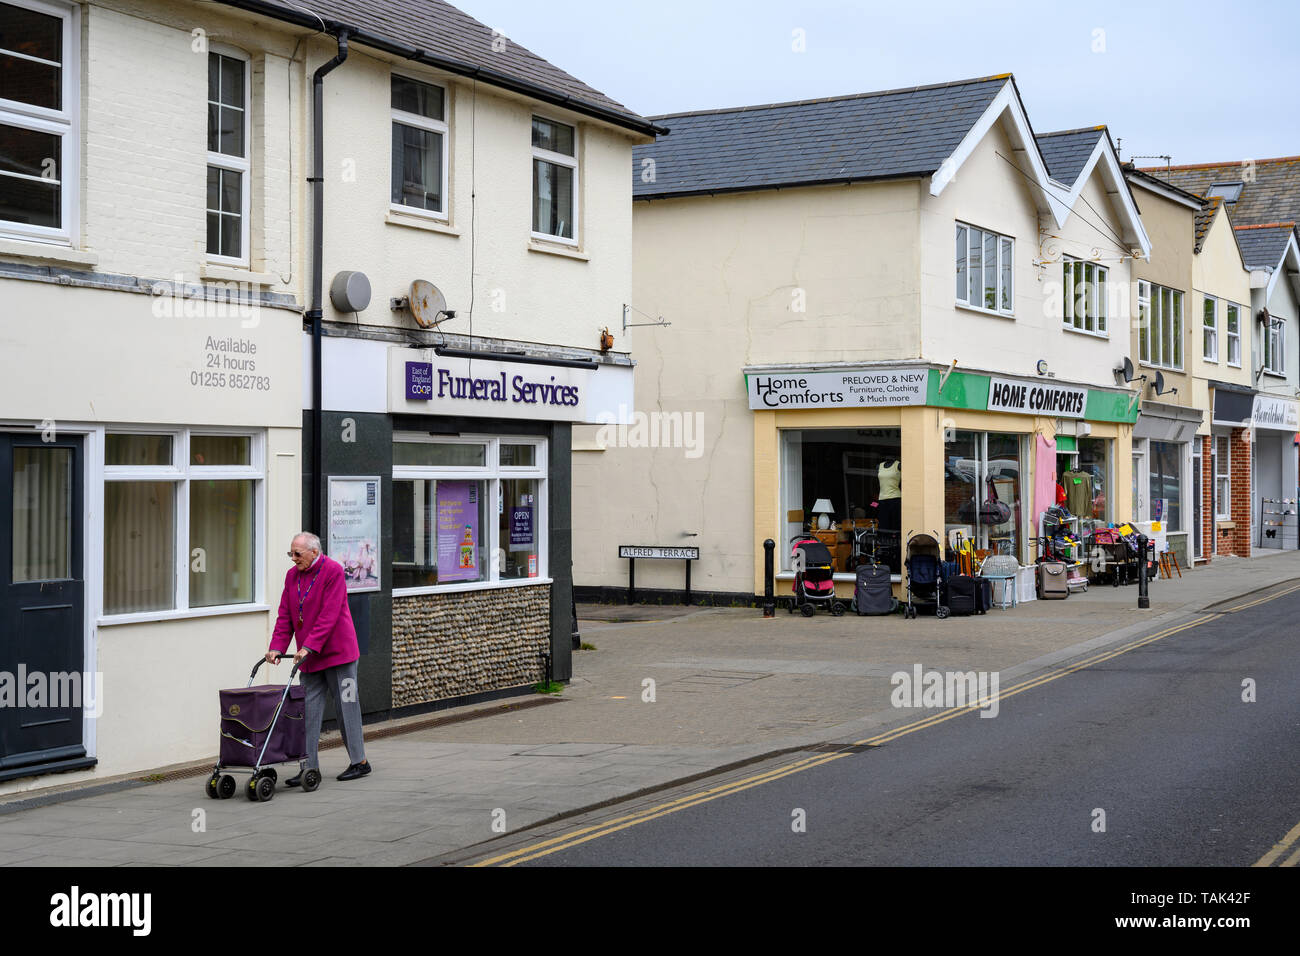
(989, 193)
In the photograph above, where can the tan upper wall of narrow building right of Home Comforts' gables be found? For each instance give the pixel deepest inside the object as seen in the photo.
(1172, 228)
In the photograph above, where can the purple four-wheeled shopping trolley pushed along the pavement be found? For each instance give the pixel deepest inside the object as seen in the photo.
(261, 726)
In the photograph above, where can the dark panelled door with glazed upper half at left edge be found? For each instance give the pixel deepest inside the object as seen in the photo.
(42, 600)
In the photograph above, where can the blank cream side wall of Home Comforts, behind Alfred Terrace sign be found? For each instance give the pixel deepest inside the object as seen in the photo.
(729, 274)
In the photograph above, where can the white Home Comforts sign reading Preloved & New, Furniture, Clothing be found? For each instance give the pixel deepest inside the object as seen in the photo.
(848, 390)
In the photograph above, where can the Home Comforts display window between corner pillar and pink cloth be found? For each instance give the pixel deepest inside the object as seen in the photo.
(982, 490)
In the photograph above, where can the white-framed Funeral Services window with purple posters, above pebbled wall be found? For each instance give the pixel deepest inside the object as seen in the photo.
(467, 513)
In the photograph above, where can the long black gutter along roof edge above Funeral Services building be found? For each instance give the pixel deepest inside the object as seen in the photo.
(456, 67)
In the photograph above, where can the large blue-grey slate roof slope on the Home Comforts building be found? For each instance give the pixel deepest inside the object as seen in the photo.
(876, 136)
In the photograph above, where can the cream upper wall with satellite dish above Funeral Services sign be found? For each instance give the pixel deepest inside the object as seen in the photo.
(519, 293)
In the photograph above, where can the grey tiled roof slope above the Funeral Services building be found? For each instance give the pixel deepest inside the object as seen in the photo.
(452, 40)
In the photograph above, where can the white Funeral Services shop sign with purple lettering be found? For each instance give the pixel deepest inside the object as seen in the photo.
(482, 388)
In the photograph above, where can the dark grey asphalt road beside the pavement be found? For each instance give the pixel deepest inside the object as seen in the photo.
(1146, 756)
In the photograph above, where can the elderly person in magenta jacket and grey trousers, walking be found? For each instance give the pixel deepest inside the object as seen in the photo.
(314, 612)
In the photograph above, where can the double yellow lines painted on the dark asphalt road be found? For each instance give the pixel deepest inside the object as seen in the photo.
(575, 838)
